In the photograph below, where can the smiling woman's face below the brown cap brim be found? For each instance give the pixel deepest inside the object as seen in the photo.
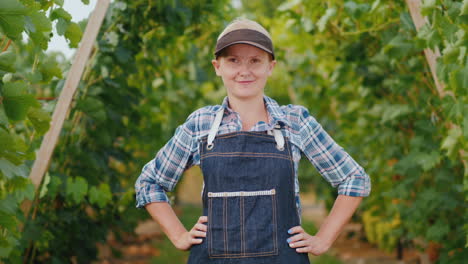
(244, 70)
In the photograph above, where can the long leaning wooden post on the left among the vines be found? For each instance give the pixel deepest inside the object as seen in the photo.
(44, 155)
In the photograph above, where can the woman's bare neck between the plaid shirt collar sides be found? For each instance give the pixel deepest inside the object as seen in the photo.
(251, 111)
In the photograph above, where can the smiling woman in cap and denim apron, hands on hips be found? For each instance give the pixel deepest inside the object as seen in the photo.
(249, 149)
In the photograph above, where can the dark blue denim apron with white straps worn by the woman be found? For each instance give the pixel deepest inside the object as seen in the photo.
(248, 198)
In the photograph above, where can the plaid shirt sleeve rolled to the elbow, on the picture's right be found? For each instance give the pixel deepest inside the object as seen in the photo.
(330, 159)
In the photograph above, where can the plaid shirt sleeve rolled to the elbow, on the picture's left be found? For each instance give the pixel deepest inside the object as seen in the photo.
(162, 173)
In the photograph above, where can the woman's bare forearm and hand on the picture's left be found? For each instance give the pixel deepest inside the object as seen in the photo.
(182, 239)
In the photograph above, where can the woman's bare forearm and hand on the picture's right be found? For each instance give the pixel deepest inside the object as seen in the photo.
(342, 210)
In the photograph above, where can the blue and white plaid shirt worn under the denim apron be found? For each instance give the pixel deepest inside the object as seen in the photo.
(306, 135)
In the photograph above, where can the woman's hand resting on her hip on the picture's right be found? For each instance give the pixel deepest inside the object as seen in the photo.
(305, 243)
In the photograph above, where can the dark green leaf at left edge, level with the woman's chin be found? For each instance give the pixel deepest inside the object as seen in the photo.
(16, 102)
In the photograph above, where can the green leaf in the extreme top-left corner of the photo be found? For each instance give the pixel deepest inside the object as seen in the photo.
(12, 18)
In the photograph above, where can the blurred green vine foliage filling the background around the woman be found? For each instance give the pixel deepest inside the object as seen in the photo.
(358, 66)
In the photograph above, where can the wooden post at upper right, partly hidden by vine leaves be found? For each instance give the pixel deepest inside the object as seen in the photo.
(431, 56)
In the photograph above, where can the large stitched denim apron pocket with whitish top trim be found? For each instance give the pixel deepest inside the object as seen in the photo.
(242, 224)
